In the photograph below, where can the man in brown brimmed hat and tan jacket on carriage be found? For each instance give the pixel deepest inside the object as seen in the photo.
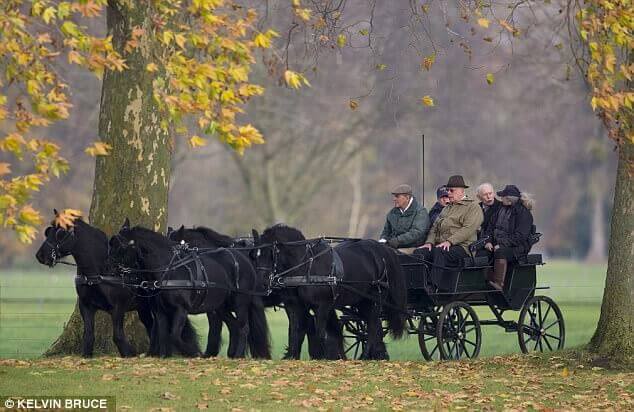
(453, 231)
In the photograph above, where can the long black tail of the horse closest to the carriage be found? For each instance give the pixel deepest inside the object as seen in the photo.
(397, 297)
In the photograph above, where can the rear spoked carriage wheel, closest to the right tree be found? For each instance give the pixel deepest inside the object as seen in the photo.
(541, 326)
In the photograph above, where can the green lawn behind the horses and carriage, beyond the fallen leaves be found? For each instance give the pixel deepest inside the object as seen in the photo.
(34, 306)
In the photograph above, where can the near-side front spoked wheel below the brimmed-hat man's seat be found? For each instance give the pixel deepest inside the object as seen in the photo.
(458, 332)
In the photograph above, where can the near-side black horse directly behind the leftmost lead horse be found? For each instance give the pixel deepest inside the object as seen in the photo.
(193, 282)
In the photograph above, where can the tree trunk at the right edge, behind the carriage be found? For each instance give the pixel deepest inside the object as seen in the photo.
(614, 337)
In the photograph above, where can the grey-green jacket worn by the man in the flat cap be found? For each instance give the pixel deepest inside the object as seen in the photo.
(409, 228)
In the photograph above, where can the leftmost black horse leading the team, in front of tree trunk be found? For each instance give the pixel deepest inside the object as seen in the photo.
(97, 288)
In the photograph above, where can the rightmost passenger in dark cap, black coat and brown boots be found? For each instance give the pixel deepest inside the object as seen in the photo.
(509, 234)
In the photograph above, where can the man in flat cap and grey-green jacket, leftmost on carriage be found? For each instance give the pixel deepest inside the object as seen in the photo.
(407, 223)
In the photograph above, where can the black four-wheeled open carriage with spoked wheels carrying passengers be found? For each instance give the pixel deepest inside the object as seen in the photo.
(443, 314)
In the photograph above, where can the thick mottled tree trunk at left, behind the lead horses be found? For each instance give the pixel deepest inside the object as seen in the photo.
(133, 180)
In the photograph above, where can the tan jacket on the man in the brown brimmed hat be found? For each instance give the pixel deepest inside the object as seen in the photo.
(458, 223)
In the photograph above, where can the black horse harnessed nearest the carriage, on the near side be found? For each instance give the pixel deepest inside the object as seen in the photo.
(369, 280)
